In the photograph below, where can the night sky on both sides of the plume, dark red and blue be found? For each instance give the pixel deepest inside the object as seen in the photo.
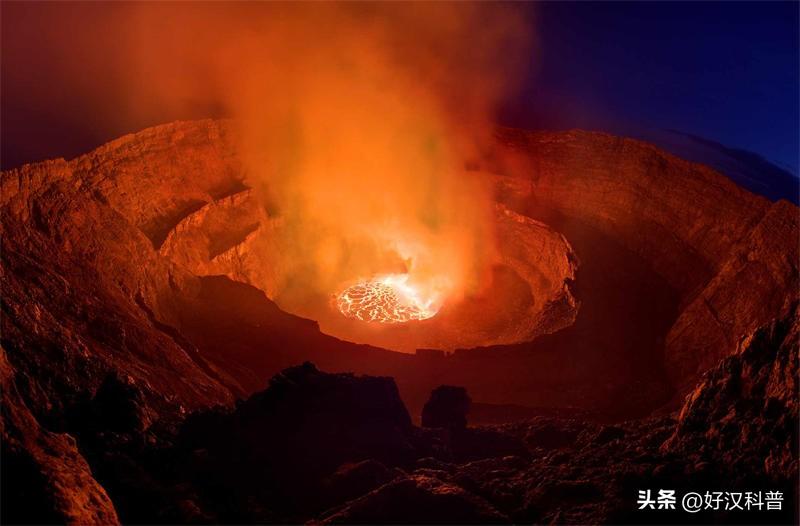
(723, 71)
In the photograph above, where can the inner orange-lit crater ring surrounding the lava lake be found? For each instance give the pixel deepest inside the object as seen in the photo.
(527, 294)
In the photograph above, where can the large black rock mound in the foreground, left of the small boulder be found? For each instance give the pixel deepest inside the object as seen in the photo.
(283, 446)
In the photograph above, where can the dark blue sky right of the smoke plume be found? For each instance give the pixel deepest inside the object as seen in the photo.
(726, 71)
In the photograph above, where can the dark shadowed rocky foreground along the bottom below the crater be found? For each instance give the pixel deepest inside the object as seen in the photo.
(339, 448)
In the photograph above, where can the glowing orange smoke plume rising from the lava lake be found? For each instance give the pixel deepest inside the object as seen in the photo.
(356, 123)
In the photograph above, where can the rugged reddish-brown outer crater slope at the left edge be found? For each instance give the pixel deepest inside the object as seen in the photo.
(83, 292)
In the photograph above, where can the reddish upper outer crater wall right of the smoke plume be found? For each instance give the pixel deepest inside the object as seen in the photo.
(708, 238)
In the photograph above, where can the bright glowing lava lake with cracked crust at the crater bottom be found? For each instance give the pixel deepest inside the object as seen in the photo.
(385, 299)
